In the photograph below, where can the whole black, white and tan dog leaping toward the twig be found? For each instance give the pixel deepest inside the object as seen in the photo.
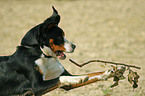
(34, 69)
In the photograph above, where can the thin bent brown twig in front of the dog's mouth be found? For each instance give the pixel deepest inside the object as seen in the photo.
(102, 61)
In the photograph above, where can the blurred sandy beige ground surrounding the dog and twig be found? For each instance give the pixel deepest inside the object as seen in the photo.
(112, 30)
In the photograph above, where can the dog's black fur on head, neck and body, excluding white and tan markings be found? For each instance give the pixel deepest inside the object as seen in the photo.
(18, 75)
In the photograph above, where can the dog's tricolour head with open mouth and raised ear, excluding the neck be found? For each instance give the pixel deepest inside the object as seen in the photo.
(52, 39)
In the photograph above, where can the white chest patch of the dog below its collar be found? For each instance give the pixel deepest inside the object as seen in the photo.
(50, 67)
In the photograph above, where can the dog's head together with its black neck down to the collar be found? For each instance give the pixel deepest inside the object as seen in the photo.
(49, 37)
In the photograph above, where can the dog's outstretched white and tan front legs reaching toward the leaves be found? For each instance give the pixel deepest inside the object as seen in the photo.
(71, 82)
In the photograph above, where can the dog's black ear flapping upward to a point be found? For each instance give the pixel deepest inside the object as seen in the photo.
(52, 20)
